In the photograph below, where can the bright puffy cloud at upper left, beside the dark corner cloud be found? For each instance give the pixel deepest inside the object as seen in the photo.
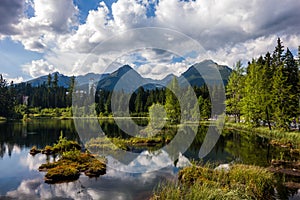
(51, 19)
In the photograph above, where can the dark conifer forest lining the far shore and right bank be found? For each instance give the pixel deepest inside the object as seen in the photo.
(265, 92)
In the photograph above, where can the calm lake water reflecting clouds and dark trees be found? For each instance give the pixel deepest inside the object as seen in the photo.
(20, 179)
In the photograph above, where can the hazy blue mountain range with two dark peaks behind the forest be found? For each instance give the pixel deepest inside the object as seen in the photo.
(127, 79)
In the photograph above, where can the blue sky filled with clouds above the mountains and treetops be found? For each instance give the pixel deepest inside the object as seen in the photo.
(155, 37)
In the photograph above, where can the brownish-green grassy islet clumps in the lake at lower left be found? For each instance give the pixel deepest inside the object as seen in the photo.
(71, 162)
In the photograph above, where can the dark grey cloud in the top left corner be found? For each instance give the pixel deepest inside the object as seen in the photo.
(11, 11)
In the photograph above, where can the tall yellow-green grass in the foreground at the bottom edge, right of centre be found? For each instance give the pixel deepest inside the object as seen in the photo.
(198, 182)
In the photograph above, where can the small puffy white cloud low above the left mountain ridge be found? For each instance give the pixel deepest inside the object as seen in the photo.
(38, 68)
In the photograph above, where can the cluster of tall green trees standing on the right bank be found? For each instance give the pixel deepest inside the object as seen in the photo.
(268, 92)
